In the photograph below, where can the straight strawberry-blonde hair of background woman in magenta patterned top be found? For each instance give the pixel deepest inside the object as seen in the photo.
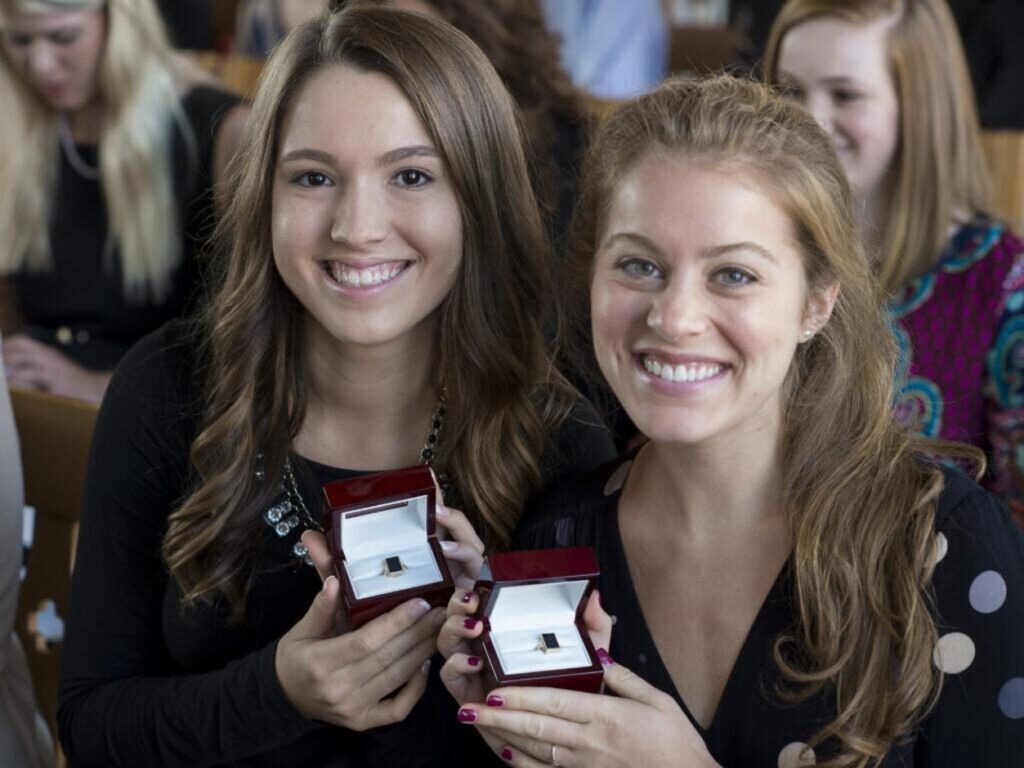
(940, 173)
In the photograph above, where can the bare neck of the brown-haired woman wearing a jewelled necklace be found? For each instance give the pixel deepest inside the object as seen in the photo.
(385, 395)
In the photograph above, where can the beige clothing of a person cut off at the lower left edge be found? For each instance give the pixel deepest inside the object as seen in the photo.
(24, 739)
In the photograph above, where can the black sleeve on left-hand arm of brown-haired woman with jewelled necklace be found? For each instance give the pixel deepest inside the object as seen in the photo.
(121, 702)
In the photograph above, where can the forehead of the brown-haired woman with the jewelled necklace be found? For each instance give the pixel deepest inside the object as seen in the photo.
(345, 110)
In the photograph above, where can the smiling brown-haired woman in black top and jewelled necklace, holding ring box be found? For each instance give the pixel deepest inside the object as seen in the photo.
(381, 304)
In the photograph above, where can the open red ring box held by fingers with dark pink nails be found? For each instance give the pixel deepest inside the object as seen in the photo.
(532, 606)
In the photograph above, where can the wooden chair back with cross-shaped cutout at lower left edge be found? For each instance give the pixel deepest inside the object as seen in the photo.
(55, 435)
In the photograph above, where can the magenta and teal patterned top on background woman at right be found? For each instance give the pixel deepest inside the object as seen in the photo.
(961, 329)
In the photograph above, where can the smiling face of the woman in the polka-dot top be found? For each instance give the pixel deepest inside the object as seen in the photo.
(699, 303)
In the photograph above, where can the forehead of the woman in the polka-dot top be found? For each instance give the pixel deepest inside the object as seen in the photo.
(684, 205)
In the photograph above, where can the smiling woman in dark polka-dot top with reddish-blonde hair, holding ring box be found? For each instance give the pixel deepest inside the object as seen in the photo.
(796, 582)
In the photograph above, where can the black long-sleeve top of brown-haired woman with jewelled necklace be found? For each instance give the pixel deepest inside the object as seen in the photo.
(142, 686)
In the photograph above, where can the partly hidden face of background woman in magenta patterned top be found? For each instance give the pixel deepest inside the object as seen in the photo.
(841, 73)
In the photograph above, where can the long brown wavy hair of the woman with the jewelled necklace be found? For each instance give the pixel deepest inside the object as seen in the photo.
(505, 400)
